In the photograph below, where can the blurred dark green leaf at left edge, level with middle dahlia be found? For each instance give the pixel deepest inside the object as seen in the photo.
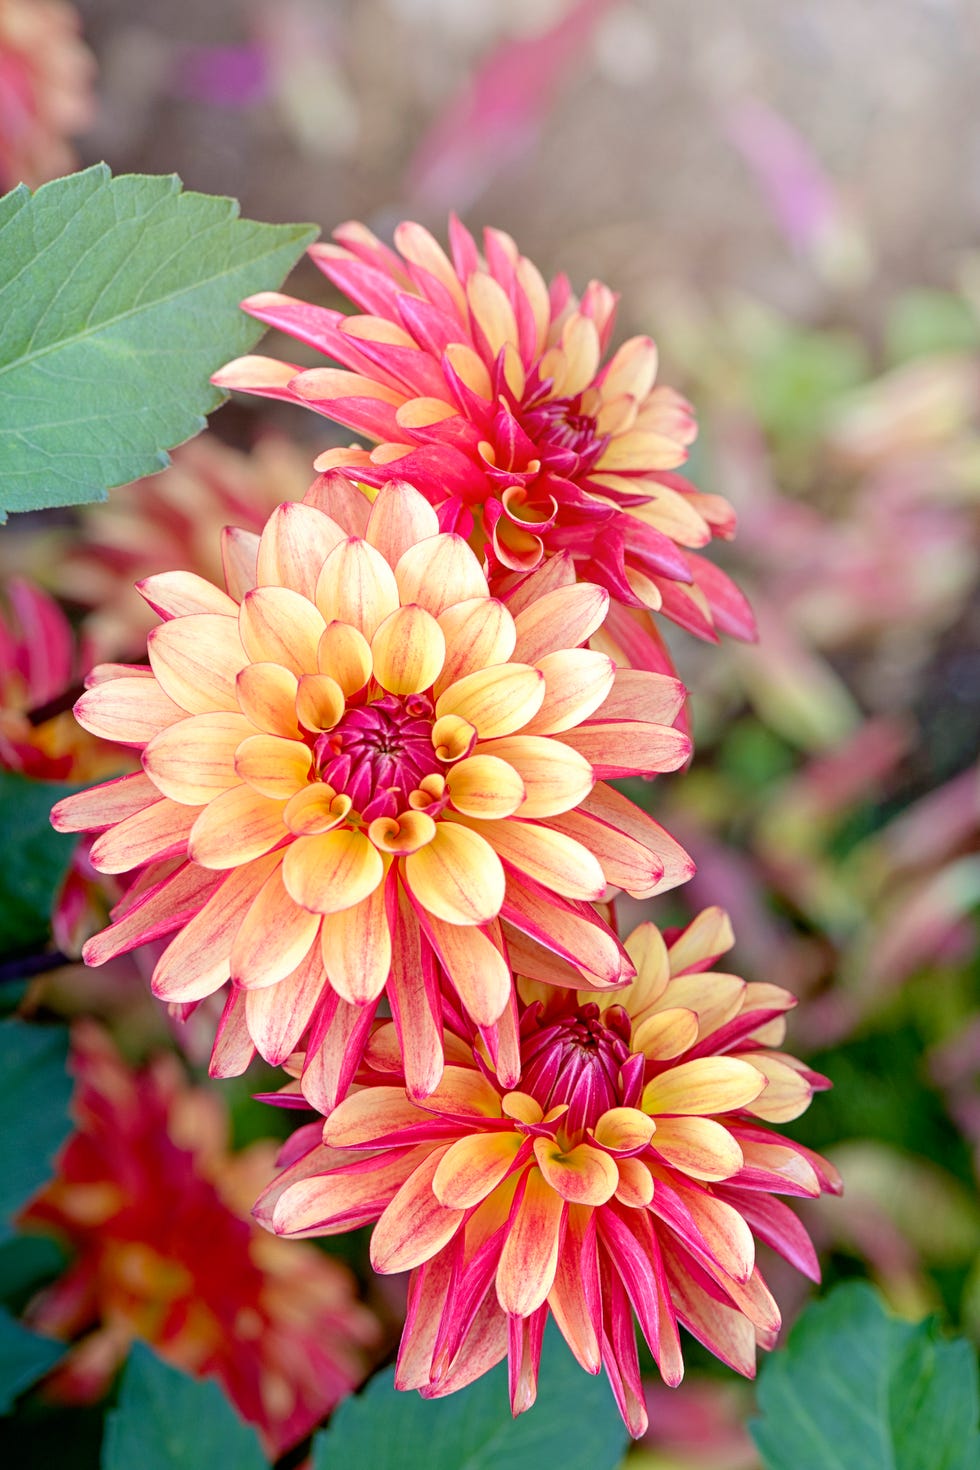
(36, 859)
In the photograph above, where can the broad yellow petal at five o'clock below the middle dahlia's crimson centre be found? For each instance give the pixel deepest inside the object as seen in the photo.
(458, 877)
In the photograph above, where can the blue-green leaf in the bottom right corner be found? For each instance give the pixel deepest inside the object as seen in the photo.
(857, 1390)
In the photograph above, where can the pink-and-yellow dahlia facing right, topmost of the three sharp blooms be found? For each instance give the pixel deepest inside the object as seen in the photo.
(486, 387)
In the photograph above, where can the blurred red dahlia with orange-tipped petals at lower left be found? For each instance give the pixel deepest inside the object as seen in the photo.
(156, 1213)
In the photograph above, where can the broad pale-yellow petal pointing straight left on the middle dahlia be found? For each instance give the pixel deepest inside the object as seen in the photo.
(193, 761)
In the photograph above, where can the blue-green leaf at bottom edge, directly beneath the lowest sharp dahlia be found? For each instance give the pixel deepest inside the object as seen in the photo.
(574, 1425)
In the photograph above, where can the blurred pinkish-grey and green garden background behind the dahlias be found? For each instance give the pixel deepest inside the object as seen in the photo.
(788, 198)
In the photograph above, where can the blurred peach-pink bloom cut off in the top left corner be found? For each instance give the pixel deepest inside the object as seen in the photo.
(46, 76)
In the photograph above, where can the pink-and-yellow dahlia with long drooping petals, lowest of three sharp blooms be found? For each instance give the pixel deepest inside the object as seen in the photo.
(628, 1174)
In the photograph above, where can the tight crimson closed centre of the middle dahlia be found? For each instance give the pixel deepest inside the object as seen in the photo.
(378, 755)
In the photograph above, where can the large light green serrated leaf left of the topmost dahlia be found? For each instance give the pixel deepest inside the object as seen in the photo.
(118, 301)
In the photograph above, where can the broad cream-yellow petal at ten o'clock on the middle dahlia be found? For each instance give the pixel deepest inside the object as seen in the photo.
(198, 661)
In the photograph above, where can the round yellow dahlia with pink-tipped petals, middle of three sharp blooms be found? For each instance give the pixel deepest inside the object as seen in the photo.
(364, 774)
